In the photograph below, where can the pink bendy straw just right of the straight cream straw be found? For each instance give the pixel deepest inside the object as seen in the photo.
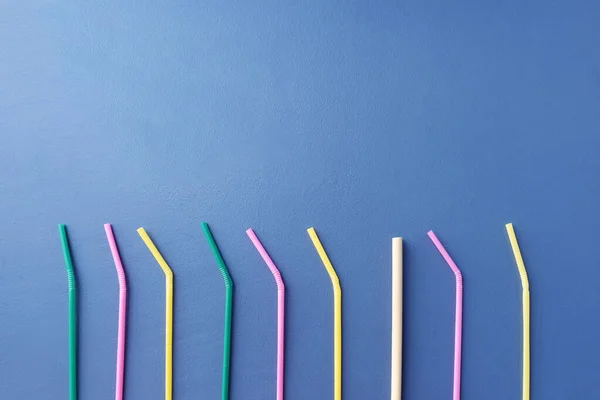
(458, 313)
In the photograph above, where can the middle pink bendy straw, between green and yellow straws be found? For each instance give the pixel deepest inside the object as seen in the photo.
(280, 308)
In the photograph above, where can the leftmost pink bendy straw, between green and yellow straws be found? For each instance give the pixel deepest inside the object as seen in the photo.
(120, 368)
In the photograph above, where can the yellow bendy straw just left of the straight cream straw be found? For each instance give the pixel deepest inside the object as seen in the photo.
(337, 314)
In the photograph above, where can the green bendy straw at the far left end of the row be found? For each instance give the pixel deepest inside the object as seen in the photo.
(72, 312)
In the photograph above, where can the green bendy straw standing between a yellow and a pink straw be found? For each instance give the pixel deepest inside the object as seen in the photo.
(228, 309)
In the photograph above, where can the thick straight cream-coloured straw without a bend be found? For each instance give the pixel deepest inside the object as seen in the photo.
(396, 375)
